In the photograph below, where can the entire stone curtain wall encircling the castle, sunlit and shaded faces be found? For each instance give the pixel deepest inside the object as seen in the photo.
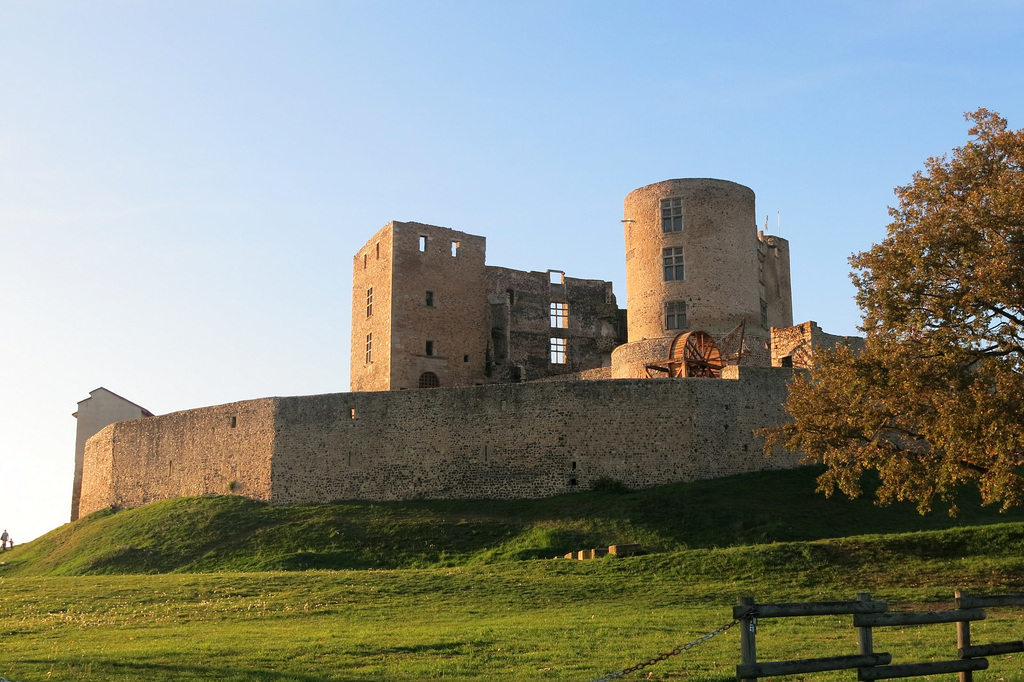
(517, 441)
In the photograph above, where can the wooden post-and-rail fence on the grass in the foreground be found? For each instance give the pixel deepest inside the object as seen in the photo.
(869, 615)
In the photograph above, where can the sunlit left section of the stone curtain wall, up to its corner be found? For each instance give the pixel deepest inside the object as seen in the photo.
(226, 449)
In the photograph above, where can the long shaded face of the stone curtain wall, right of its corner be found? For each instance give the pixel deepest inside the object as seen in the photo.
(525, 441)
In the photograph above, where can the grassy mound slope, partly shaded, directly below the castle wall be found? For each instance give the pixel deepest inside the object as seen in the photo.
(231, 534)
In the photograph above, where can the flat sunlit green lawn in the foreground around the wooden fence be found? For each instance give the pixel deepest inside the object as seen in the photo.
(517, 621)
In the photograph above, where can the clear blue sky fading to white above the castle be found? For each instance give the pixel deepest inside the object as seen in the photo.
(184, 184)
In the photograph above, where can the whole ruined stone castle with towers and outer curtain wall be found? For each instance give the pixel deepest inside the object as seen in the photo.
(476, 381)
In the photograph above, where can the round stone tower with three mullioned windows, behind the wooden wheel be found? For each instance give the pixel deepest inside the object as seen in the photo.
(695, 261)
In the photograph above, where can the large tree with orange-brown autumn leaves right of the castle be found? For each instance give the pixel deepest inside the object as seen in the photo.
(936, 400)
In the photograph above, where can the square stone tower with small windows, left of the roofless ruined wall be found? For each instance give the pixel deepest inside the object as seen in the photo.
(420, 316)
